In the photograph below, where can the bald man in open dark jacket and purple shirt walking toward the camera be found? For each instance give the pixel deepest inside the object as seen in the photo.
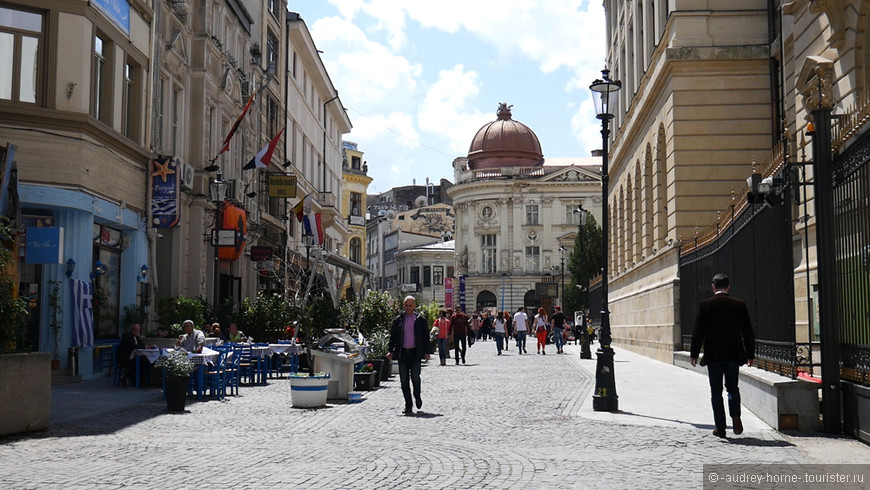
(409, 342)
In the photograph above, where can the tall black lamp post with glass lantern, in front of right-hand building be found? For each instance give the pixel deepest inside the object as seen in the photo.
(604, 399)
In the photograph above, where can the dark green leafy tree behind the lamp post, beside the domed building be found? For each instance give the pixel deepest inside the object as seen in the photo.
(584, 264)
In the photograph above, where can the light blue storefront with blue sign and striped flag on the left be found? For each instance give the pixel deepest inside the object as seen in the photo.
(92, 242)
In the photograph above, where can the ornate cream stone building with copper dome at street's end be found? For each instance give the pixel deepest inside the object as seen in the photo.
(514, 211)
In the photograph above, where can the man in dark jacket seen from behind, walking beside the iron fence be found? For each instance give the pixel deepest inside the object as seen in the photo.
(724, 329)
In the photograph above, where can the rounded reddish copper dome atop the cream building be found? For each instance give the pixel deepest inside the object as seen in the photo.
(504, 143)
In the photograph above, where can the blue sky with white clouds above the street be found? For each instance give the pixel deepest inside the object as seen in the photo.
(419, 78)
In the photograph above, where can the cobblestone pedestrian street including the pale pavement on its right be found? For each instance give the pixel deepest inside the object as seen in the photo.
(505, 421)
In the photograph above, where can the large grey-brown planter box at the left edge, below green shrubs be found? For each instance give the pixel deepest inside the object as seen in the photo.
(25, 391)
